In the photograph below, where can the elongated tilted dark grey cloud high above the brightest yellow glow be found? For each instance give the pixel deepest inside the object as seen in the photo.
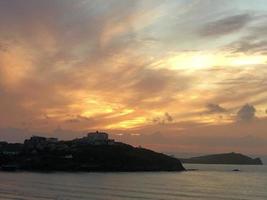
(225, 26)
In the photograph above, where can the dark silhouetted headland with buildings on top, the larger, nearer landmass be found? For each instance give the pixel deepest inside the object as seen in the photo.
(95, 152)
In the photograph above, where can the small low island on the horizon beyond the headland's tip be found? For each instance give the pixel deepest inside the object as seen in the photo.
(226, 158)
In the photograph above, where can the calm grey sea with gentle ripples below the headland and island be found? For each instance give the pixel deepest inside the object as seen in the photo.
(209, 182)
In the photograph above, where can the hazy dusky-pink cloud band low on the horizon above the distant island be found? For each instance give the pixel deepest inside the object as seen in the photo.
(193, 137)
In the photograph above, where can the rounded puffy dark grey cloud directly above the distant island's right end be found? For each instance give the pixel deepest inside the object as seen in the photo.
(246, 113)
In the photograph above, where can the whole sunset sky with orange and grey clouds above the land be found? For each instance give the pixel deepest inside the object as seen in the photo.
(170, 75)
